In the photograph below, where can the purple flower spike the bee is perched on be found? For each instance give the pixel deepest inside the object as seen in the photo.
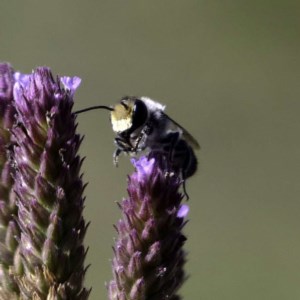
(149, 257)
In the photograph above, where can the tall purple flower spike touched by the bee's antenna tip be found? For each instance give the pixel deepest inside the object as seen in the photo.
(49, 188)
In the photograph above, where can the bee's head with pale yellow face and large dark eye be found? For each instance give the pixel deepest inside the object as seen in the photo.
(129, 114)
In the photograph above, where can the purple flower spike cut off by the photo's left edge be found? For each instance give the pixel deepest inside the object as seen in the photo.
(9, 231)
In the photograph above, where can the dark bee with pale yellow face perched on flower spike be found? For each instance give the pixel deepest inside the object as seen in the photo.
(141, 124)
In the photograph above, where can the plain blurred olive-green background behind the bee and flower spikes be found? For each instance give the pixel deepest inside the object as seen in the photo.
(229, 72)
